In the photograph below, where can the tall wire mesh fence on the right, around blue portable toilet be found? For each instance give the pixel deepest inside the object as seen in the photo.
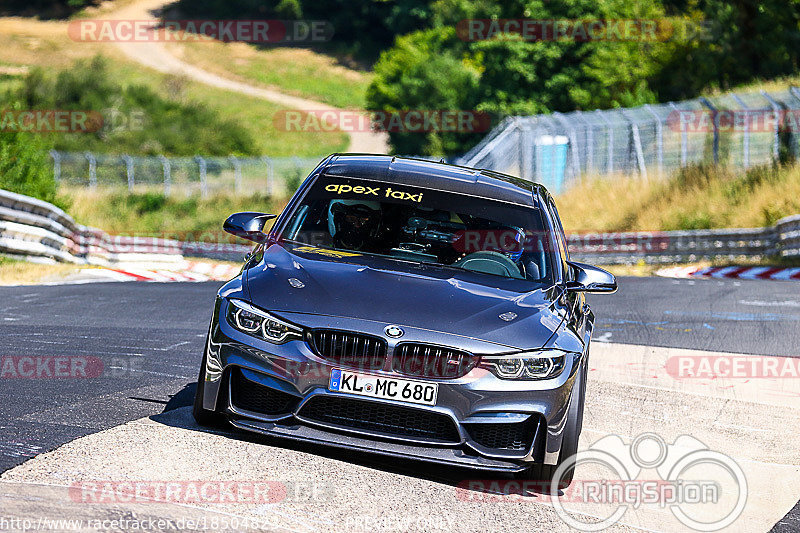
(738, 130)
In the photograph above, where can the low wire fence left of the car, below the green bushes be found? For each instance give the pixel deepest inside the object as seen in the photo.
(181, 175)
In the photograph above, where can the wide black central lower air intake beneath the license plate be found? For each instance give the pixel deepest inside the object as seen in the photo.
(384, 419)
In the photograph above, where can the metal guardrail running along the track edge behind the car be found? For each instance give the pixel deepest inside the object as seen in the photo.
(31, 227)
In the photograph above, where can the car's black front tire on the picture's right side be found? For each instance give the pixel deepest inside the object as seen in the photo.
(569, 445)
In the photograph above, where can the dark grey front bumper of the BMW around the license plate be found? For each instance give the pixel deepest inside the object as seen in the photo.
(489, 423)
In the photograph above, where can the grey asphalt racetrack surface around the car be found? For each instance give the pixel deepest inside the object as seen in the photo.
(143, 343)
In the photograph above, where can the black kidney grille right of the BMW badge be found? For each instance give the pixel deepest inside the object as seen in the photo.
(424, 360)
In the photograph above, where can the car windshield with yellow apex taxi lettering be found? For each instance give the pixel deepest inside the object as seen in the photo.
(423, 225)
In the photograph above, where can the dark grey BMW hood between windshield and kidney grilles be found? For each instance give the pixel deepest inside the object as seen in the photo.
(405, 293)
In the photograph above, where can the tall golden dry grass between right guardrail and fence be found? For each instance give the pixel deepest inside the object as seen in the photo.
(701, 197)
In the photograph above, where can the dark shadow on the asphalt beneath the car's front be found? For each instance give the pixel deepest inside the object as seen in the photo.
(177, 413)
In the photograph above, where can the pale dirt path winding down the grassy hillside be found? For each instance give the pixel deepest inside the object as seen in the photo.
(155, 55)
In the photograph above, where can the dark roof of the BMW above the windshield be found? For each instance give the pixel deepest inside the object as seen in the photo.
(434, 175)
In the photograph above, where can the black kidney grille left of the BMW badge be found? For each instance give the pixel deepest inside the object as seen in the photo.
(350, 349)
